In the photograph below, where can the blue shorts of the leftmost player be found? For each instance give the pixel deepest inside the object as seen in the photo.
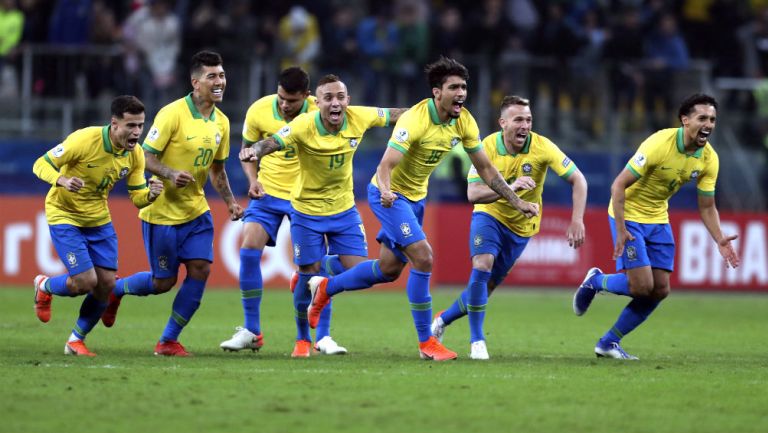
(82, 248)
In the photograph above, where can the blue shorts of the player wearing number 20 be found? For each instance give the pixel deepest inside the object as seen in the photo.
(168, 246)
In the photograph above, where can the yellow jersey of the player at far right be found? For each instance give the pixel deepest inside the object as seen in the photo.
(662, 166)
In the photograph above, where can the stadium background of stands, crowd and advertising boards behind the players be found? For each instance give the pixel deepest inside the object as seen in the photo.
(602, 75)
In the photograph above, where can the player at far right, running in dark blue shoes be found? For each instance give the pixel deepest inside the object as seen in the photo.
(643, 244)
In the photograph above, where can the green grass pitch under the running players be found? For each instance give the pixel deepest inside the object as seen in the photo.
(703, 368)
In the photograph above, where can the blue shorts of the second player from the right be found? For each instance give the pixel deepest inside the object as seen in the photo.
(488, 236)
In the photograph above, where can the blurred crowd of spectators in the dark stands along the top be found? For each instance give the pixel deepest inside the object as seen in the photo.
(576, 54)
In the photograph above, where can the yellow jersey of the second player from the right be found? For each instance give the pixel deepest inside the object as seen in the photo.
(538, 154)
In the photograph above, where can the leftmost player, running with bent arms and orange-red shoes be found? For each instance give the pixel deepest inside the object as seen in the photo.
(83, 169)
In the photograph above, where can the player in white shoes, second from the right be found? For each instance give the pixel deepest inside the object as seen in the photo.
(499, 233)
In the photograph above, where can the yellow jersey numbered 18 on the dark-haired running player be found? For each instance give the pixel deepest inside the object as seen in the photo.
(425, 141)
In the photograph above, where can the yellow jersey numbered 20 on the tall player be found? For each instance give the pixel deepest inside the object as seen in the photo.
(184, 140)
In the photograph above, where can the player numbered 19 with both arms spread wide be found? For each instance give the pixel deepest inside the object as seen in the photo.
(324, 217)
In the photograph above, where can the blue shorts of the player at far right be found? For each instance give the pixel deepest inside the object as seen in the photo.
(653, 246)
